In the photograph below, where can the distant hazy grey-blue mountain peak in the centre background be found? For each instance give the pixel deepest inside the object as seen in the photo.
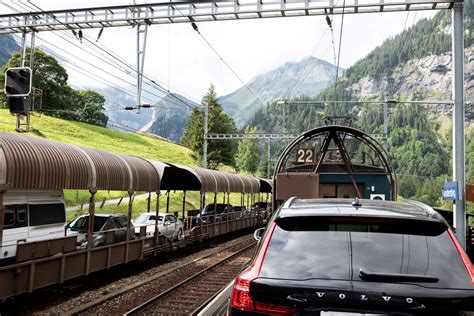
(307, 77)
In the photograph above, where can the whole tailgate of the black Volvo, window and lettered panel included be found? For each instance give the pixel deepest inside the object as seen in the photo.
(366, 264)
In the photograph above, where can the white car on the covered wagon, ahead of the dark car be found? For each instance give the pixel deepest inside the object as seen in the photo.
(168, 225)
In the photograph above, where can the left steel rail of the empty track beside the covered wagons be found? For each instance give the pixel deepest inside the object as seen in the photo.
(83, 308)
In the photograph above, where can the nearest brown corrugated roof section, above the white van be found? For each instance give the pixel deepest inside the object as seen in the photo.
(35, 163)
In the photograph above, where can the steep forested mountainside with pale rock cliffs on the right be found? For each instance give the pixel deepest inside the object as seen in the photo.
(413, 65)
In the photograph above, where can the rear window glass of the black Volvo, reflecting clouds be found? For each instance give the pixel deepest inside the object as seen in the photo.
(338, 247)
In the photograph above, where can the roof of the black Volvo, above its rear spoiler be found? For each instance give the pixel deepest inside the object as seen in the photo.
(368, 208)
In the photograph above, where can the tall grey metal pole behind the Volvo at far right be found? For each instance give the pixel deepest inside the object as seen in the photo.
(458, 121)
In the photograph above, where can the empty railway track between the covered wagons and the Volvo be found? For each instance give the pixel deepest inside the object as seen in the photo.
(134, 294)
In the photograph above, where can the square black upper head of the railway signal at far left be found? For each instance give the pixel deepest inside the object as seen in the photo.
(18, 82)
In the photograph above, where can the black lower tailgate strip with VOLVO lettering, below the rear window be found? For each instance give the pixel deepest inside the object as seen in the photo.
(313, 296)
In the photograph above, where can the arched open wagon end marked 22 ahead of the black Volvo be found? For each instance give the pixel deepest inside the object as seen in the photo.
(334, 162)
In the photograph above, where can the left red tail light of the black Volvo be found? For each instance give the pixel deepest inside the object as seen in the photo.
(241, 296)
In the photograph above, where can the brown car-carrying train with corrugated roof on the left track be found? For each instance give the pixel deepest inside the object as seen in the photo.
(31, 164)
